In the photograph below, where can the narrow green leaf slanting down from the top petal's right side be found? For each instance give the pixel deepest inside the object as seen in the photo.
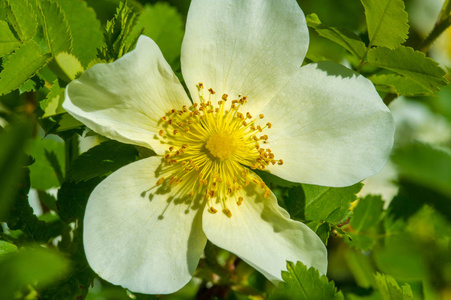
(347, 39)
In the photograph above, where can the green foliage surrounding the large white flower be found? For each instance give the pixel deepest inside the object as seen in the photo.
(378, 249)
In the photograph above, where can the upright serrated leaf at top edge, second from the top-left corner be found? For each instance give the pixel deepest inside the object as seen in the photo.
(56, 28)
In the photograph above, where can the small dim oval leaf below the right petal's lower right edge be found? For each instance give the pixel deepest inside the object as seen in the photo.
(367, 213)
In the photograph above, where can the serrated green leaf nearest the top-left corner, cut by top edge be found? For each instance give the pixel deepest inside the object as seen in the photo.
(23, 18)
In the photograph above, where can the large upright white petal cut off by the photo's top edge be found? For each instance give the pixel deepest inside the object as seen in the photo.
(251, 48)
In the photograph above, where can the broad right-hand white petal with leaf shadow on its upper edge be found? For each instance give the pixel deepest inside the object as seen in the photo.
(329, 126)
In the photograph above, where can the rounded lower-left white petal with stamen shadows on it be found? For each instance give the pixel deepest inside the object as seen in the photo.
(140, 236)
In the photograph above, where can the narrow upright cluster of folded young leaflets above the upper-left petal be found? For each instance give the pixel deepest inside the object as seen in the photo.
(117, 33)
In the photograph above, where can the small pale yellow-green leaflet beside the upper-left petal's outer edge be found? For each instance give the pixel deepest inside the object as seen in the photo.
(66, 66)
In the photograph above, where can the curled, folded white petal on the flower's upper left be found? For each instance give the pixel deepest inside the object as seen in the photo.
(125, 99)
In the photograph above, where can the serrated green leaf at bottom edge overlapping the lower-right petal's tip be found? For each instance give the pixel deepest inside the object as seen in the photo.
(302, 283)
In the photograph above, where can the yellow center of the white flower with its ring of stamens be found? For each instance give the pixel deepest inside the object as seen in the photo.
(211, 148)
